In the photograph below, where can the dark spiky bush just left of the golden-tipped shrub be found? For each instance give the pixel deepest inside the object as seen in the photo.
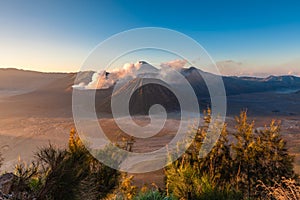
(63, 180)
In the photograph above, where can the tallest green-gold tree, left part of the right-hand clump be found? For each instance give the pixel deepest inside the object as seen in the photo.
(195, 177)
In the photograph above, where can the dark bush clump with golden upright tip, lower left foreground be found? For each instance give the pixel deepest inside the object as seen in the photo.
(74, 173)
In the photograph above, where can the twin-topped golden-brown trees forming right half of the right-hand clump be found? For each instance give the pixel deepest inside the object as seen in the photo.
(260, 156)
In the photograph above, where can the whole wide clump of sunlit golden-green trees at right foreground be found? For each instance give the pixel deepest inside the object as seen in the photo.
(230, 171)
